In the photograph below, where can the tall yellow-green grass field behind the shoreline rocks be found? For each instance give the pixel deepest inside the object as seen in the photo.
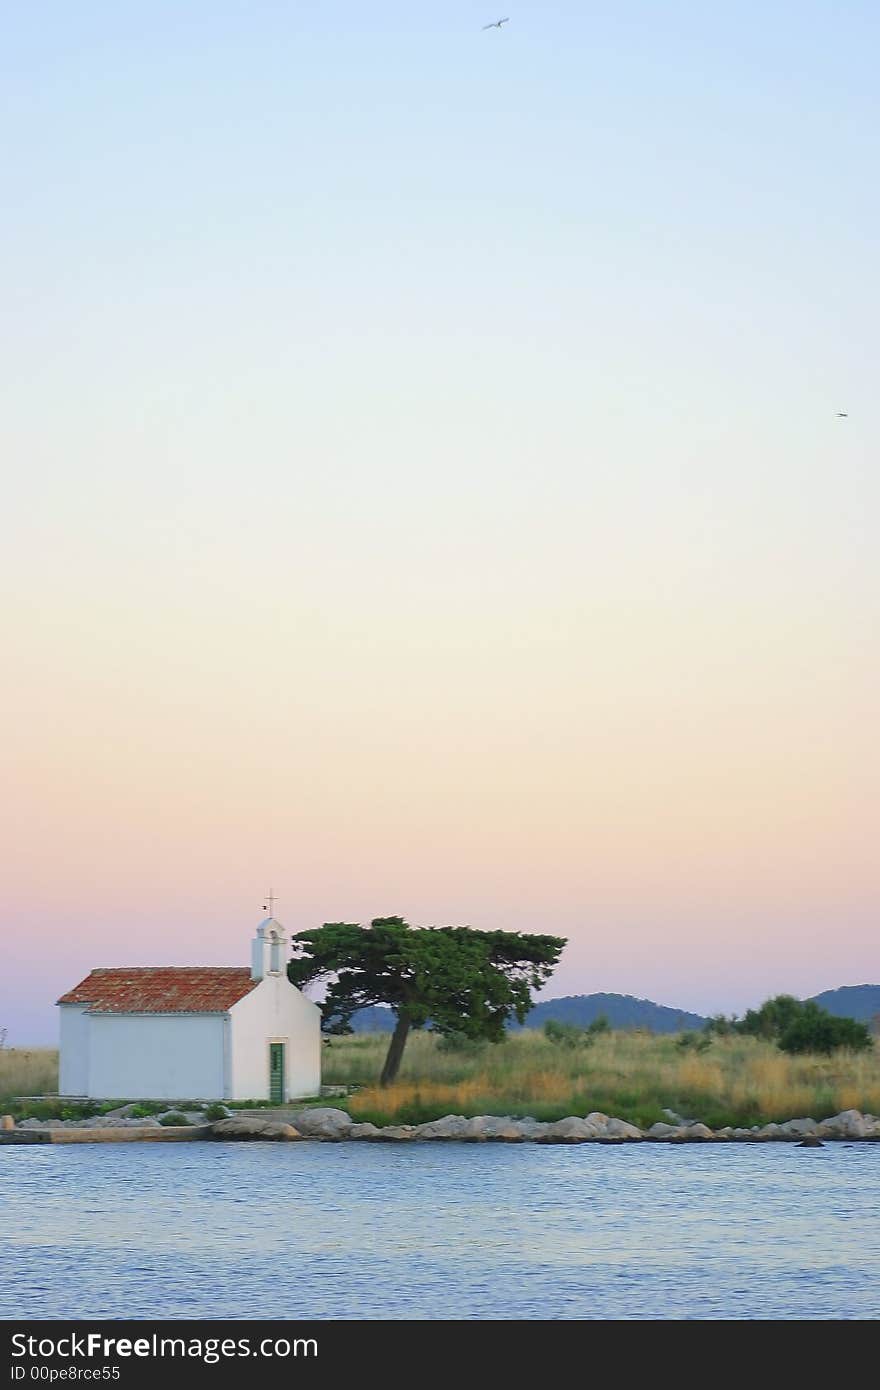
(632, 1075)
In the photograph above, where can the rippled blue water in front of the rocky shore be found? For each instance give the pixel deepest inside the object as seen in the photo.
(344, 1231)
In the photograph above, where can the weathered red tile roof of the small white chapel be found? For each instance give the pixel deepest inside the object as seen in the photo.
(163, 989)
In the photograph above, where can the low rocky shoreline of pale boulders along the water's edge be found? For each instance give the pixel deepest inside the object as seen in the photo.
(327, 1124)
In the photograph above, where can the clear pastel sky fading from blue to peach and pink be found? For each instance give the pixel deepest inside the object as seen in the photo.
(425, 490)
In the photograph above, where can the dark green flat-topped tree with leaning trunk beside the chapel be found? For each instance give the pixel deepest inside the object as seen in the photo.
(457, 979)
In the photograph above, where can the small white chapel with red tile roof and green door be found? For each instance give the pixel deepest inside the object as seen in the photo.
(194, 1032)
